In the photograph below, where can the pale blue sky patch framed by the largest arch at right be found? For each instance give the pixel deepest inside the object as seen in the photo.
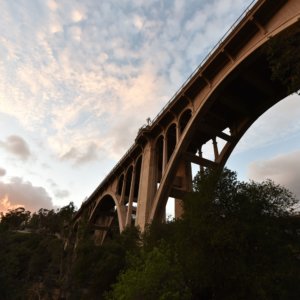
(264, 153)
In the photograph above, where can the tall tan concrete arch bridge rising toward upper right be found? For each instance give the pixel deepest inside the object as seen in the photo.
(218, 103)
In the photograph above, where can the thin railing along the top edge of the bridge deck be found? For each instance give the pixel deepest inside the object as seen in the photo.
(249, 7)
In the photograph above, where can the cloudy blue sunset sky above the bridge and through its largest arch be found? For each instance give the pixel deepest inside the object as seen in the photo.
(79, 78)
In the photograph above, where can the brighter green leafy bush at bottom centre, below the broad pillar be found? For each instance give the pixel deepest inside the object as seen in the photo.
(152, 275)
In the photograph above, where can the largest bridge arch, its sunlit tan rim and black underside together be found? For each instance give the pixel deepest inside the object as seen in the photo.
(234, 101)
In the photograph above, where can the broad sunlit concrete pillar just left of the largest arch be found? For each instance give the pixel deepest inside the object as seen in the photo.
(147, 186)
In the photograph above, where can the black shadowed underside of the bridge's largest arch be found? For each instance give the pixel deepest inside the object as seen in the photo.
(232, 108)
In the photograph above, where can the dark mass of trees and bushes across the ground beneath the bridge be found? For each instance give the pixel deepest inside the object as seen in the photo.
(236, 240)
